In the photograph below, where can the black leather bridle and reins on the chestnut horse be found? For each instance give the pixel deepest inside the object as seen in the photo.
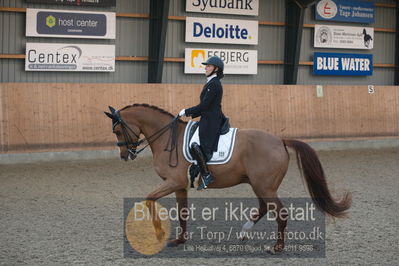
(132, 150)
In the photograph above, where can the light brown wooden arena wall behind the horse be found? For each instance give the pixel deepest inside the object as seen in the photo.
(54, 117)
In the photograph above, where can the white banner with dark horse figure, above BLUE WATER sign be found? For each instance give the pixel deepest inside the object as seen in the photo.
(332, 36)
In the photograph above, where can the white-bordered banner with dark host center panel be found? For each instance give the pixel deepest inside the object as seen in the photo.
(70, 24)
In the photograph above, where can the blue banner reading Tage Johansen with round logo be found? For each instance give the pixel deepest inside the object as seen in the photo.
(347, 11)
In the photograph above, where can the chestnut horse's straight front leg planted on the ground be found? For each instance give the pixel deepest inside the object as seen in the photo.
(181, 199)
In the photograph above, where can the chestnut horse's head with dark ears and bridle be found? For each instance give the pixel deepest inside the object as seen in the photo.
(127, 135)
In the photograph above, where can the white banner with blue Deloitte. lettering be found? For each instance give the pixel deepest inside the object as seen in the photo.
(210, 30)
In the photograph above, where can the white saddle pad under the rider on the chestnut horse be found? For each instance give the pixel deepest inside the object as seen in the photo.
(225, 145)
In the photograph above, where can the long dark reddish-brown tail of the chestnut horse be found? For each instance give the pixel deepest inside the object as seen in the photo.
(311, 169)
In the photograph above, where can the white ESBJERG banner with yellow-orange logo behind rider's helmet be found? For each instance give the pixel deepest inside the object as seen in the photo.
(235, 61)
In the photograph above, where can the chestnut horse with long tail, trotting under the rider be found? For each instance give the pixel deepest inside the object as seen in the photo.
(259, 159)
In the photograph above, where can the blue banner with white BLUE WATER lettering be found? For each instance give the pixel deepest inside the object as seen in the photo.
(339, 64)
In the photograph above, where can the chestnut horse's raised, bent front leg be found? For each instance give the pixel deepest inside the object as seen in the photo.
(165, 189)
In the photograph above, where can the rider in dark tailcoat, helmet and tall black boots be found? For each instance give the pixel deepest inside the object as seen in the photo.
(212, 118)
